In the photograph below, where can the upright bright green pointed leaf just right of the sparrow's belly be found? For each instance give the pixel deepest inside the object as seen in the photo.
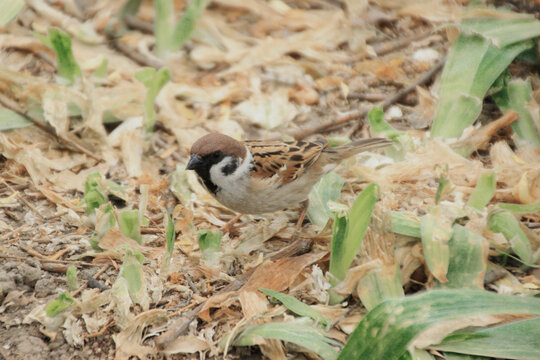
(346, 245)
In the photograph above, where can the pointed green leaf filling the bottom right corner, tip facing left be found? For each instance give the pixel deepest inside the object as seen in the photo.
(515, 340)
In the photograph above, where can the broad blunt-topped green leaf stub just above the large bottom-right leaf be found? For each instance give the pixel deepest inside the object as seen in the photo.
(468, 259)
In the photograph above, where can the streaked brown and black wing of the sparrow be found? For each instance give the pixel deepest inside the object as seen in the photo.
(287, 160)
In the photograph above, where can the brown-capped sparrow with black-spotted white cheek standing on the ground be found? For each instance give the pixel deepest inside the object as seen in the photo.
(258, 176)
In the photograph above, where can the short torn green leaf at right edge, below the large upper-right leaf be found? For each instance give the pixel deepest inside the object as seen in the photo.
(516, 96)
